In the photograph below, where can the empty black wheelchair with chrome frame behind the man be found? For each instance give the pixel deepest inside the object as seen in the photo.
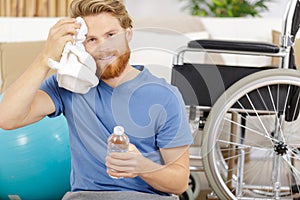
(247, 117)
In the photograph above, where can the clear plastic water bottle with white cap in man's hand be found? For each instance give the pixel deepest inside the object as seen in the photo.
(118, 141)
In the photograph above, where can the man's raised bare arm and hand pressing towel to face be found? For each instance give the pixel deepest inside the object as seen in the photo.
(23, 102)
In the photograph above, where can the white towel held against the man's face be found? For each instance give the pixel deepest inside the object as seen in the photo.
(76, 70)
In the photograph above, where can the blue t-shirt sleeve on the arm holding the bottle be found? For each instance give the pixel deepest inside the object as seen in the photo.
(176, 130)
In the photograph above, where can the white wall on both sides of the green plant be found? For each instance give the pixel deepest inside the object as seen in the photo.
(146, 8)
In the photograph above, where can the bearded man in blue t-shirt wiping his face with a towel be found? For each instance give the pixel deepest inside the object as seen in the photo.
(151, 111)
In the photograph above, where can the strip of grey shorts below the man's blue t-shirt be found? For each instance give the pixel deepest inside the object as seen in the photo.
(120, 195)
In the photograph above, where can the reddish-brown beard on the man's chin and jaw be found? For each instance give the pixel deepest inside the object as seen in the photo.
(115, 68)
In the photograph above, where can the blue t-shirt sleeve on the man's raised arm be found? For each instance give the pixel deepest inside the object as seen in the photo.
(50, 86)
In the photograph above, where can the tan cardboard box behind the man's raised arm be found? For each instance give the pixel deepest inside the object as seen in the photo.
(15, 58)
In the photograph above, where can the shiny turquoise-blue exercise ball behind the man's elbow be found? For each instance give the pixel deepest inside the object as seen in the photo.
(35, 161)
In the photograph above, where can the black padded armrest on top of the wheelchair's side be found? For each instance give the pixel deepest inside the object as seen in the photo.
(234, 46)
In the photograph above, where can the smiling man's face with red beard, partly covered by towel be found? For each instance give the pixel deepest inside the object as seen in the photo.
(107, 42)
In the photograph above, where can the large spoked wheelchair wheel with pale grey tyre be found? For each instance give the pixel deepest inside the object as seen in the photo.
(251, 149)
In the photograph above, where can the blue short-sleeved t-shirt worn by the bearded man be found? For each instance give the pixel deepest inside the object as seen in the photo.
(151, 111)
